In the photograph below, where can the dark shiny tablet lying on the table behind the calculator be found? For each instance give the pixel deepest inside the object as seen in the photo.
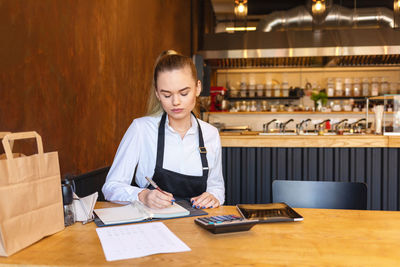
(272, 212)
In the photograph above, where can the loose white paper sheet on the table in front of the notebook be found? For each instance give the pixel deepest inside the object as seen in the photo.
(138, 240)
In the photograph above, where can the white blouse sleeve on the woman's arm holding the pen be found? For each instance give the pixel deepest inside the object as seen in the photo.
(118, 187)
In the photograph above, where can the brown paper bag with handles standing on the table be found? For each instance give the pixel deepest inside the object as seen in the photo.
(30, 196)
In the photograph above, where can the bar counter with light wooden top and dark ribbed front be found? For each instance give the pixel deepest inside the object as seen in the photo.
(252, 162)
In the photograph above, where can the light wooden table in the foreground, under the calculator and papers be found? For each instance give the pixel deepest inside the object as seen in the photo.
(325, 237)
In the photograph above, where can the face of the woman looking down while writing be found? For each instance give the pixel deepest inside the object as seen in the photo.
(177, 92)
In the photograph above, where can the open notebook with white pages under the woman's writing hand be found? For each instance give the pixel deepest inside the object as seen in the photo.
(136, 211)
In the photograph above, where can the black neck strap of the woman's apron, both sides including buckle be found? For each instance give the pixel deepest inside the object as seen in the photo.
(161, 143)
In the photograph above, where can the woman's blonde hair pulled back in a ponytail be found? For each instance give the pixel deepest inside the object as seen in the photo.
(167, 61)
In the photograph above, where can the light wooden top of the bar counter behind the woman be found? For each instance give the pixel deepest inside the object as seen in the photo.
(235, 140)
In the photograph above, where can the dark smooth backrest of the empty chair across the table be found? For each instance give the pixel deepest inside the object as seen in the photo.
(320, 194)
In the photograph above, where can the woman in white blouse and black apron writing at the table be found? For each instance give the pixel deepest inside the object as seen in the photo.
(180, 153)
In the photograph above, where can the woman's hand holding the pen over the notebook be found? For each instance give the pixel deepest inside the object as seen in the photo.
(155, 199)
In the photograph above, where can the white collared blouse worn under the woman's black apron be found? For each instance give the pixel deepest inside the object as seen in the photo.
(139, 147)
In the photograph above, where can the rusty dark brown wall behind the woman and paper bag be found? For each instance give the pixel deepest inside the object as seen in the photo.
(78, 72)
